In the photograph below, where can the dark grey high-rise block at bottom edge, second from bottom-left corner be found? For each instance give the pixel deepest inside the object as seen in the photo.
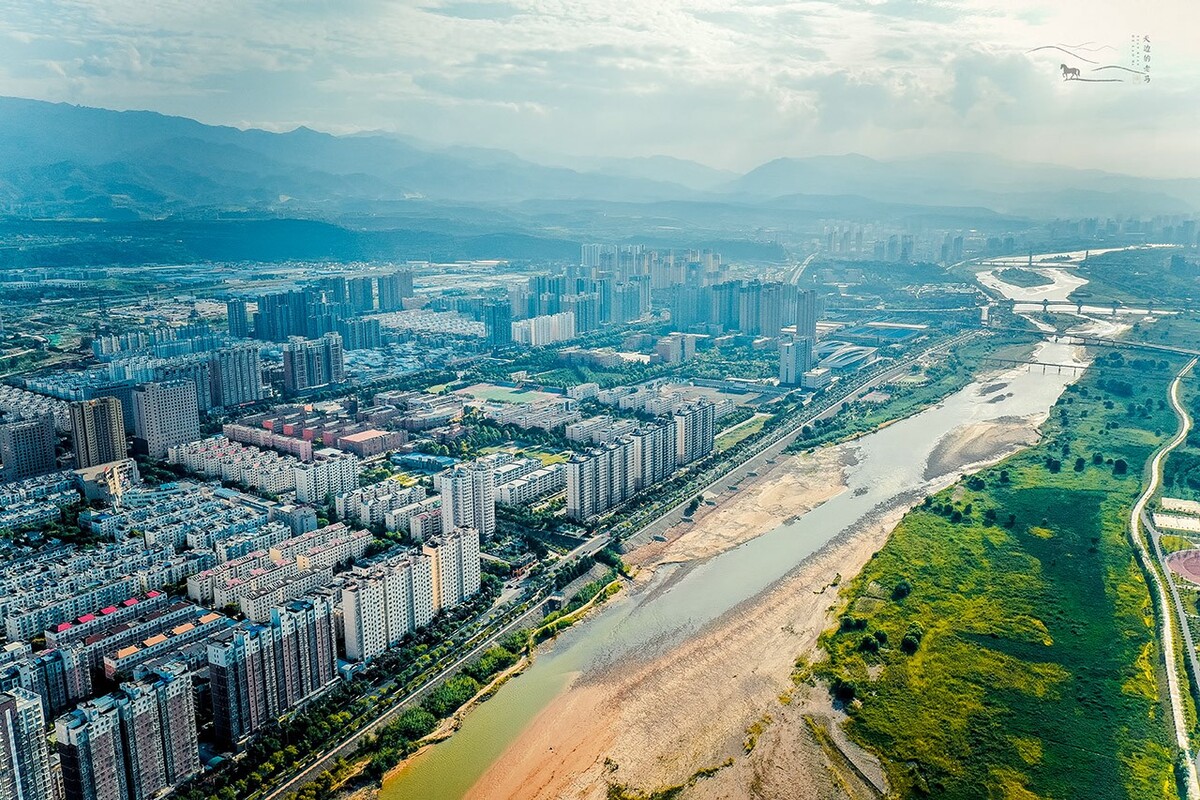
(135, 744)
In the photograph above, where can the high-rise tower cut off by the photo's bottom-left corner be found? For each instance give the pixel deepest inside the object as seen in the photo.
(25, 754)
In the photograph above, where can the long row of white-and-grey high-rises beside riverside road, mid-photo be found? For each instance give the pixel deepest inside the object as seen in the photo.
(608, 476)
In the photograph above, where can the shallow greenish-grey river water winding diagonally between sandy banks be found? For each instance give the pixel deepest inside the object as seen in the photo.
(680, 600)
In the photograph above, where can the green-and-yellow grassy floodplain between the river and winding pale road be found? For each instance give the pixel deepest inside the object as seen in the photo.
(1003, 642)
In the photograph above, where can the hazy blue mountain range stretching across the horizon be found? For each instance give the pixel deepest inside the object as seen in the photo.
(69, 163)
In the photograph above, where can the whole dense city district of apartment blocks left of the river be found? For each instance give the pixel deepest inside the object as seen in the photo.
(251, 516)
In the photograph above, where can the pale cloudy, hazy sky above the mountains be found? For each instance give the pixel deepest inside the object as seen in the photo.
(731, 85)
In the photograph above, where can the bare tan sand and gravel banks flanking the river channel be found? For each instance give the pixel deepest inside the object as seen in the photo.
(652, 725)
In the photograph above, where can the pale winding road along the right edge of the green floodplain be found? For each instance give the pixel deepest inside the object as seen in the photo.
(1154, 569)
